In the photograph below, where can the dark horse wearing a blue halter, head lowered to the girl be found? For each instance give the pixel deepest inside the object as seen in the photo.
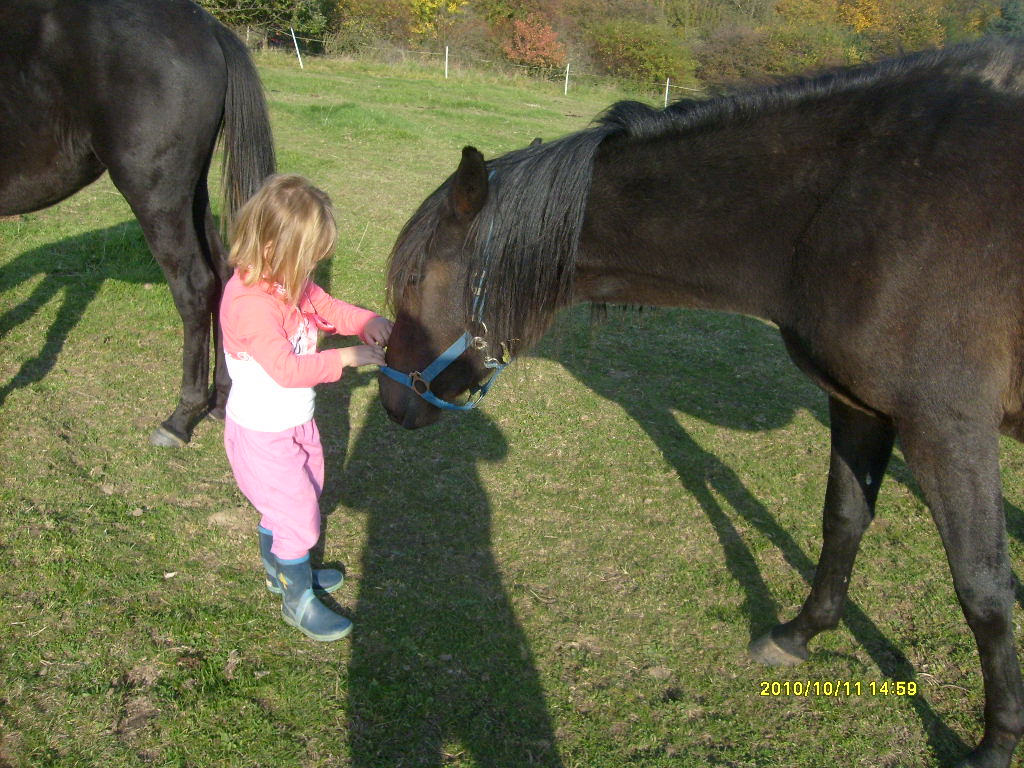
(874, 215)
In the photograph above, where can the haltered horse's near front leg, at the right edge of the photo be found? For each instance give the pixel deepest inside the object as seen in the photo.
(957, 464)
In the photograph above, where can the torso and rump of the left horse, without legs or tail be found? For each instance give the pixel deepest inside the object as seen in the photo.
(86, 83)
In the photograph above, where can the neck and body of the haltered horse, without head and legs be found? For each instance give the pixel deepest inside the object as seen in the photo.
(874, 215)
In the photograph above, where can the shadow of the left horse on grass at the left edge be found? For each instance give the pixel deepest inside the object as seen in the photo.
(76, 270)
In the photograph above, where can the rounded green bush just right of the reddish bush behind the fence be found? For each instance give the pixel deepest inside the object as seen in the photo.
(642, 53)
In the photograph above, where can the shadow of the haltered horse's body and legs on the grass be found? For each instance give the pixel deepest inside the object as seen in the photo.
(704, 364)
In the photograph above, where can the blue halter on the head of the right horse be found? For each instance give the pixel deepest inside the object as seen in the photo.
(420, 382)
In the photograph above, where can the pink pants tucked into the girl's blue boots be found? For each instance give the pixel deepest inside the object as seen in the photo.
(282, 474)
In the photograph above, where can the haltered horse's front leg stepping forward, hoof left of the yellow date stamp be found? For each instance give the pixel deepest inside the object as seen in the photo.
(862, 445)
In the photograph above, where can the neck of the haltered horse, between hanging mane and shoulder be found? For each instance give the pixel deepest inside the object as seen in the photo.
(709, 219)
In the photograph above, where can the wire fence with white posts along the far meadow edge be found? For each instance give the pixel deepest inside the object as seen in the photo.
(450, 61)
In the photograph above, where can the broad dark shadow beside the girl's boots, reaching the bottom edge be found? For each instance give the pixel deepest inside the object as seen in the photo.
(440, 663)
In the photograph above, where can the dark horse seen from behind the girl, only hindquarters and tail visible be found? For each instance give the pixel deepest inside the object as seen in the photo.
(141, 89)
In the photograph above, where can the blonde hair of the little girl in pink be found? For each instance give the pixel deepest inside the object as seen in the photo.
(282, 233)
